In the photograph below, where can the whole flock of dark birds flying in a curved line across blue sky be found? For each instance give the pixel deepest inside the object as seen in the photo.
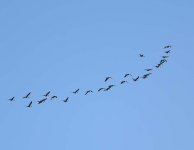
(145, 76)
